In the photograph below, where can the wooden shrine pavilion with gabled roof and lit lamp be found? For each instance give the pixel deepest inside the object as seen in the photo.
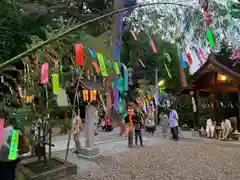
(219, 74)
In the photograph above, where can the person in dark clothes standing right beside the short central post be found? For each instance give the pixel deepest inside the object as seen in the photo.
(138, 125)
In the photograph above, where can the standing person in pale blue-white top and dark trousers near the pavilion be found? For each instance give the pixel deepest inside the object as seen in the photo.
(173, 123)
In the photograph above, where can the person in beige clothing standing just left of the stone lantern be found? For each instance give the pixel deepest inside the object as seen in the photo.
(76, 130)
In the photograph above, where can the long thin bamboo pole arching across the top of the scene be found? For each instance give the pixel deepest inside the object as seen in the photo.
(57, 37)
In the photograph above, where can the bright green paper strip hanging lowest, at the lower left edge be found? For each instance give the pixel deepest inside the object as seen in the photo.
(14, 145)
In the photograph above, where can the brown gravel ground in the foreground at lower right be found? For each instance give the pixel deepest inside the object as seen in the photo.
(181, 160)
